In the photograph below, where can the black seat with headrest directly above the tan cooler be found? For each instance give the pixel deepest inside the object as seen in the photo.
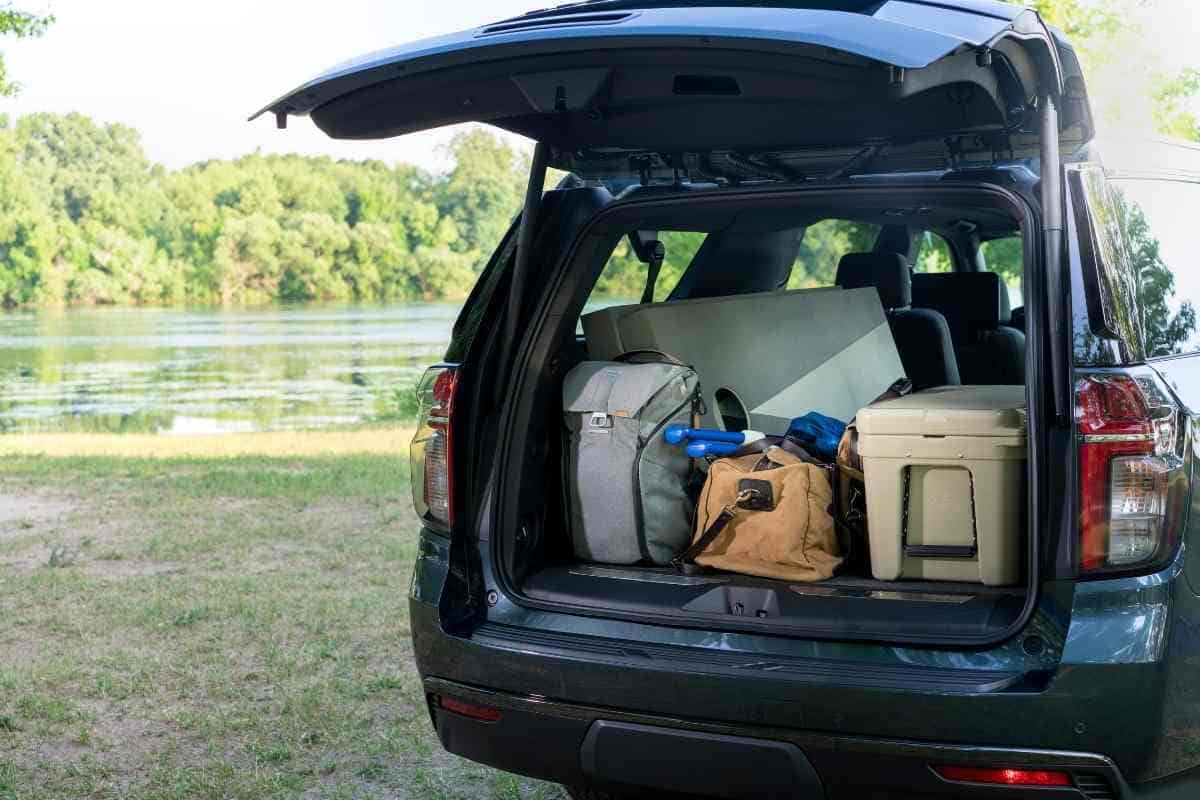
(976, 306)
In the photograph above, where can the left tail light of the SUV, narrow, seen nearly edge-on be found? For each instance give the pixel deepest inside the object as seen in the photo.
(431, 454)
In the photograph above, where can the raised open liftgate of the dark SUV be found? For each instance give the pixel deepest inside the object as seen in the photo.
(638, 81)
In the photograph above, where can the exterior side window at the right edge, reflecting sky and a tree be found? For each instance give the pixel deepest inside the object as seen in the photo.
(1162, 244)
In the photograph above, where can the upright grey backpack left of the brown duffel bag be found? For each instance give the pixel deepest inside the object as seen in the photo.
(627, 489)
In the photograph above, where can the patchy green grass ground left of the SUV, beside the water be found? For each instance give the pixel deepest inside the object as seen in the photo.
(214, 618)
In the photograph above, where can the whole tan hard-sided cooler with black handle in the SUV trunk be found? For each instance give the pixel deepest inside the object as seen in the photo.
(945, 473)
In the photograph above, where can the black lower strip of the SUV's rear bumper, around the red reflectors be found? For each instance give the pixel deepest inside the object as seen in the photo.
(581, 744)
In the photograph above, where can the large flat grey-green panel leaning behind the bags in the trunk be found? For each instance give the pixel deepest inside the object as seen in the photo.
(781, 353)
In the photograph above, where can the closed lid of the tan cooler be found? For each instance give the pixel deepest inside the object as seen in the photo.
(950, 412)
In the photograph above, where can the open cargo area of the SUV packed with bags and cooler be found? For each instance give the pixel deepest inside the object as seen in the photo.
(783, 311)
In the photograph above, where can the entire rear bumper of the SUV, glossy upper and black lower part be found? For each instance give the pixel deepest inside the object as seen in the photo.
(862, 742)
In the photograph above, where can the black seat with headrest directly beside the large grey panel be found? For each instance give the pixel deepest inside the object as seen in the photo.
(922, 336)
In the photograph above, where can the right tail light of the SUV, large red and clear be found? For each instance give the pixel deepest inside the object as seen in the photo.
(1129, 466)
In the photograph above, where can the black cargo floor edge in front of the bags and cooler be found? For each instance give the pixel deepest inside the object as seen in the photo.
(841, 607)
